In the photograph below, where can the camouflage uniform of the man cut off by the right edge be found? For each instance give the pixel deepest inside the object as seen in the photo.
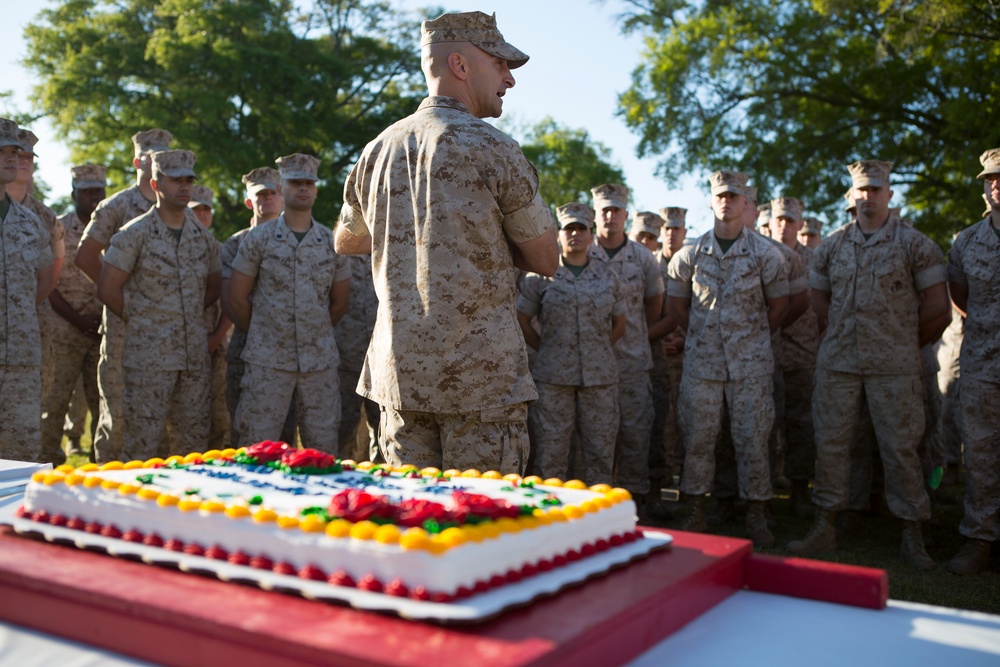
(973, 261)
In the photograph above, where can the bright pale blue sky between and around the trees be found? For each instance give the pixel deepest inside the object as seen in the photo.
(580, 64)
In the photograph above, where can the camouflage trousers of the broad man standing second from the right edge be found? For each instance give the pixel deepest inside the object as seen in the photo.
(896, 405)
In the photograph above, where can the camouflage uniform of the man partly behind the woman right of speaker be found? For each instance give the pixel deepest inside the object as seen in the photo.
(639, 274)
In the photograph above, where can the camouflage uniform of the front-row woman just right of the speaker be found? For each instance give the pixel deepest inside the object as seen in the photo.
(574, 372)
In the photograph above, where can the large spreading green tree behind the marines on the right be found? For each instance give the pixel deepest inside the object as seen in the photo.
(790, 91)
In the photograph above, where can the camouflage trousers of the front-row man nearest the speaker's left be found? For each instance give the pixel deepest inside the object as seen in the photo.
(267, 393)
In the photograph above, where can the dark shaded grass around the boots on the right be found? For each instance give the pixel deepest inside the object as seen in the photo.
(878, 547)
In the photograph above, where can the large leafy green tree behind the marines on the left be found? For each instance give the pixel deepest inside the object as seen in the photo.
(239, 82)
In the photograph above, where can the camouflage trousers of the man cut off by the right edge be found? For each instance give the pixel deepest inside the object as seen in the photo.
(981, 415)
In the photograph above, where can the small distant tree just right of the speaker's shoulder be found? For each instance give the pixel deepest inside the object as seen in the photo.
(569, 162)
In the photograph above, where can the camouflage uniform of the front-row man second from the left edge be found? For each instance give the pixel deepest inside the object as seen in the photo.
(165, 361)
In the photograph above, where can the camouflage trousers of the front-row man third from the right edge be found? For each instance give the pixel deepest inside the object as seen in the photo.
(701, 409)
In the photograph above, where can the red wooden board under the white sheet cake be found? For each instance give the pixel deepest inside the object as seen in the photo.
(173, 618)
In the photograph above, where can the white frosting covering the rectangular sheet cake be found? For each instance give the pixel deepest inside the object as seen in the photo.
(463, 565)
